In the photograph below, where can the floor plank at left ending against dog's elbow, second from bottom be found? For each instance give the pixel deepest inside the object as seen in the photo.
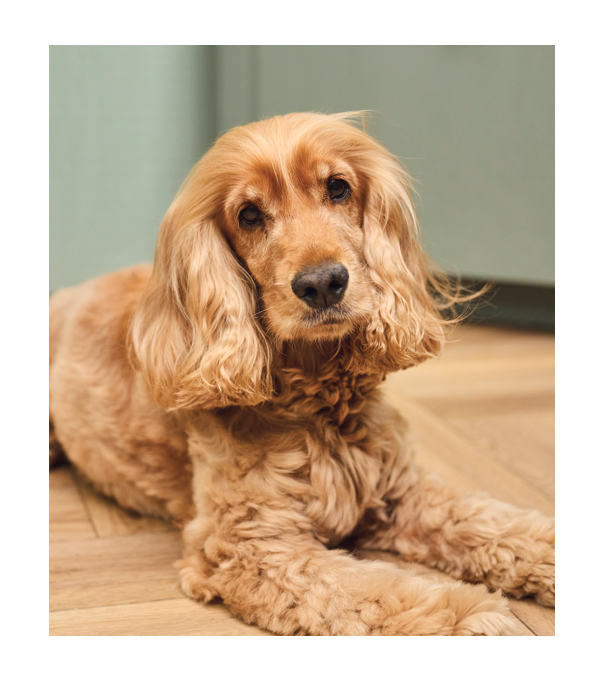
(116, 570)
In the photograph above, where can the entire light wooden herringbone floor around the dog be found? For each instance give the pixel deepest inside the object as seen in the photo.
(482, 417)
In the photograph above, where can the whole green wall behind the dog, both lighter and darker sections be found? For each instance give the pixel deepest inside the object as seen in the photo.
(474, 125)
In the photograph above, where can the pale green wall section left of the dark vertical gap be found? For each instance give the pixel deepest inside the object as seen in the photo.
(126, 125)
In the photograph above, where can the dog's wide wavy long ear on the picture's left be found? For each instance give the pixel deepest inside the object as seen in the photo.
(194, 335)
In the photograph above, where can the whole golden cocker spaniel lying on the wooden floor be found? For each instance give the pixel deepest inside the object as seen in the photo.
(234, 387)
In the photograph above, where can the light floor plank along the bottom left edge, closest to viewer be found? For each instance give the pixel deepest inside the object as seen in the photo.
(169, 618)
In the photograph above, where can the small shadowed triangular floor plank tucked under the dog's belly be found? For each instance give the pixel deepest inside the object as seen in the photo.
(111, 520)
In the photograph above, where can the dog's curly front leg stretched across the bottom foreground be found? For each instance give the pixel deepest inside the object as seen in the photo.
(261, 558)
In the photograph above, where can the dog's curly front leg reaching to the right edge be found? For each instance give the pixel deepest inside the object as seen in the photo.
(469, 536)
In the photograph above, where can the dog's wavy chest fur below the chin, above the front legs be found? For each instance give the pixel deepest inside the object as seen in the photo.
(319, 449)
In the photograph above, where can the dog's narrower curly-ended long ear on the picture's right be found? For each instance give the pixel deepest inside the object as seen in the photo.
(407, 326)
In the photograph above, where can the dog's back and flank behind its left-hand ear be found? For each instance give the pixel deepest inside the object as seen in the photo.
(100, 414)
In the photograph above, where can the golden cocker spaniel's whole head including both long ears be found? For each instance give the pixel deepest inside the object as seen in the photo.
(299, 227)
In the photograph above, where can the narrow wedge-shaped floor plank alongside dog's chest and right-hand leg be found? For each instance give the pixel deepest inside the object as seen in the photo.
(458, 462)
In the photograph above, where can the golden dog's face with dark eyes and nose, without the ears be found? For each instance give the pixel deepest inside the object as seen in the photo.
(295, 220)
